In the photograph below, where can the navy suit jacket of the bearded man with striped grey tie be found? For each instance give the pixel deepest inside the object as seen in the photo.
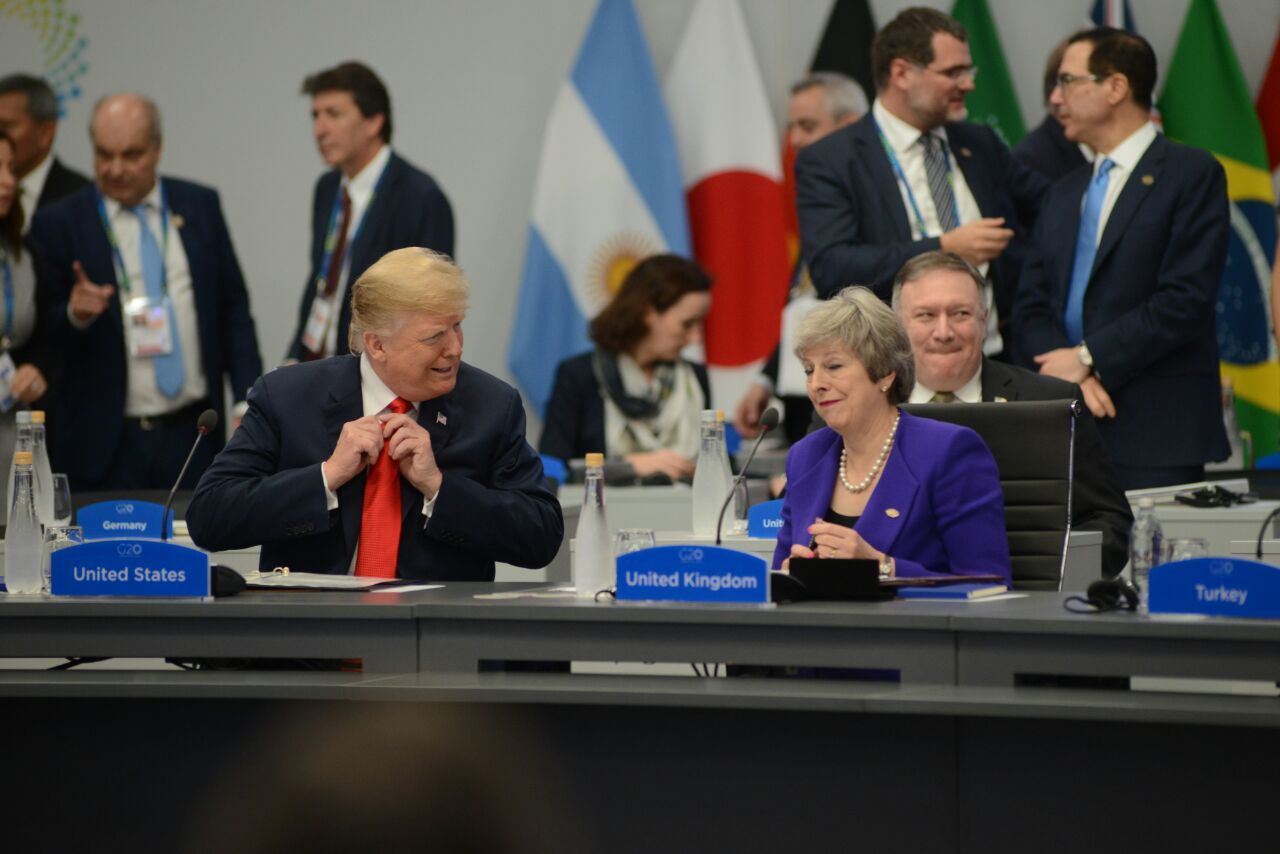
(856, 229)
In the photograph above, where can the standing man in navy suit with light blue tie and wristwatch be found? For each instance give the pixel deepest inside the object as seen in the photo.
(1121, 294)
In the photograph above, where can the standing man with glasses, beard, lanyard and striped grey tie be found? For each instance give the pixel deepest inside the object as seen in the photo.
(913, 177)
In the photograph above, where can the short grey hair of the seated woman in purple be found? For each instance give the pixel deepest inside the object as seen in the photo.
(860, 322)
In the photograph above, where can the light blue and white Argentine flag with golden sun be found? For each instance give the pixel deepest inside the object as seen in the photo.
(609, 194)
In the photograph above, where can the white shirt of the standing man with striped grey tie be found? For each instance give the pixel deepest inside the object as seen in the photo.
(904, 139)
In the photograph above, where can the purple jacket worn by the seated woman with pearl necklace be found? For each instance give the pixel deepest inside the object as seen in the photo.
(938, 509)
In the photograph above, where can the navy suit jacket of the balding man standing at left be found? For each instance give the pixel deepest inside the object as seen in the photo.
(89, 403)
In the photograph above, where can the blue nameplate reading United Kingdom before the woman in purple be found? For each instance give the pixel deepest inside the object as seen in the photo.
(693, 574)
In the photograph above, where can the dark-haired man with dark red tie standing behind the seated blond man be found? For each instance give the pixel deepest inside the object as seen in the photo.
(372, 202)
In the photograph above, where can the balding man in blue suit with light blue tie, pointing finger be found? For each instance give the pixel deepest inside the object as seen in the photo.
(149, 310)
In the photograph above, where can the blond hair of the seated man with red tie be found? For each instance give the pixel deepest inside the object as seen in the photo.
(405, 281)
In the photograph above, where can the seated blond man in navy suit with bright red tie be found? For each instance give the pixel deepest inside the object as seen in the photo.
(399, 463)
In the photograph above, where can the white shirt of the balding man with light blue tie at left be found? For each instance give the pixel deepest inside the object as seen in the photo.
(141, 396)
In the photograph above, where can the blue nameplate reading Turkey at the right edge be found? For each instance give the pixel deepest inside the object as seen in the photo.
(1222, 587)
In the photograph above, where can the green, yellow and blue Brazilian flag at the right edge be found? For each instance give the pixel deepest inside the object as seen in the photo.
(1206, 103)
